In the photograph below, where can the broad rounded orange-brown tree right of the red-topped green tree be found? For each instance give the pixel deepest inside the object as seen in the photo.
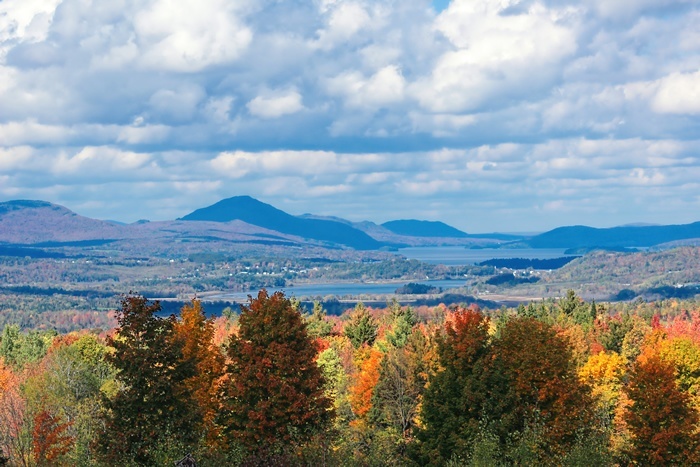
(533, 385)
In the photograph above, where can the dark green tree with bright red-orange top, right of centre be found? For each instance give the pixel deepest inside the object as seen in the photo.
(453, 401)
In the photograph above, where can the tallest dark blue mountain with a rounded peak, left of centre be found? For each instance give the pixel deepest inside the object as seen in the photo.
(255, 212)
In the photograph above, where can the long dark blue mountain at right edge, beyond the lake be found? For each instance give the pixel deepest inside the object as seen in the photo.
(580, 236)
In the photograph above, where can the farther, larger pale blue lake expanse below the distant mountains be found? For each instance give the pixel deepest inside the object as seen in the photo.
(460, 256)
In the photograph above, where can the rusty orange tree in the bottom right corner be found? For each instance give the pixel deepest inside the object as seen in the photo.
(661, 421)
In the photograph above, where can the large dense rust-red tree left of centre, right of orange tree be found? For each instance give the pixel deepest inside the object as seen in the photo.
(275, 391)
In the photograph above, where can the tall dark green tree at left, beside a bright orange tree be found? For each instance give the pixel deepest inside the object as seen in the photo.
(149, 410)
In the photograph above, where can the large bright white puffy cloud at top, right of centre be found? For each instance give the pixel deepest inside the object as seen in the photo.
(496, 56)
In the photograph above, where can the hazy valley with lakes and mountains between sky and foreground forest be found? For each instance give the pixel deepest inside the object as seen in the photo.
(62, 270)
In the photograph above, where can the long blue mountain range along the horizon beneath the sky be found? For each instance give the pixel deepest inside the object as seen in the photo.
(243, 220)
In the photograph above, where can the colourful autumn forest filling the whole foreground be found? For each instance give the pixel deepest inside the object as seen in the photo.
(557, 382)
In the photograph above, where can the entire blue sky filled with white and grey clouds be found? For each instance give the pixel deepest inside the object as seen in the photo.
(490, 115)
